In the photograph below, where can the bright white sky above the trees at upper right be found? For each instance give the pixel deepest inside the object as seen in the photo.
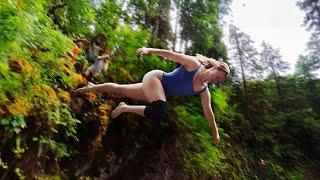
(277, 22)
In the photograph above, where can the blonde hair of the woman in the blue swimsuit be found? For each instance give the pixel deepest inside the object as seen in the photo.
(209, 63)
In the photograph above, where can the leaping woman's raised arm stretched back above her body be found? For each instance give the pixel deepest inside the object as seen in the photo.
(190, 62)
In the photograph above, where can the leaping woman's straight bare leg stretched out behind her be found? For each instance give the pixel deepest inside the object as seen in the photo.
(133, 91)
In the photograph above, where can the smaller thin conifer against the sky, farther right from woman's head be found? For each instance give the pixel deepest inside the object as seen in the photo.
(272, 62)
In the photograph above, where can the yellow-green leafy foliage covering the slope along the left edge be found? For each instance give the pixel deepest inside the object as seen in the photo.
(32, 62)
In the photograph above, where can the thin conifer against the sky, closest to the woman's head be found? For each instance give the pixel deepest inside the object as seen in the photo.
(243, 55)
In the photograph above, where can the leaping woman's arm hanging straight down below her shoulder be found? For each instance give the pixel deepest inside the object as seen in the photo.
(206, 105)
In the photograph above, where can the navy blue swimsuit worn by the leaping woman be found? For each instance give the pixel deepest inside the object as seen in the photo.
(179, 82)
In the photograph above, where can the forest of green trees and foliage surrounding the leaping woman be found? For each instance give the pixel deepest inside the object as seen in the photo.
(268, 121)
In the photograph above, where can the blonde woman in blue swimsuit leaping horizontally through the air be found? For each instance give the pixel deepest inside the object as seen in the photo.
(191, 78)
